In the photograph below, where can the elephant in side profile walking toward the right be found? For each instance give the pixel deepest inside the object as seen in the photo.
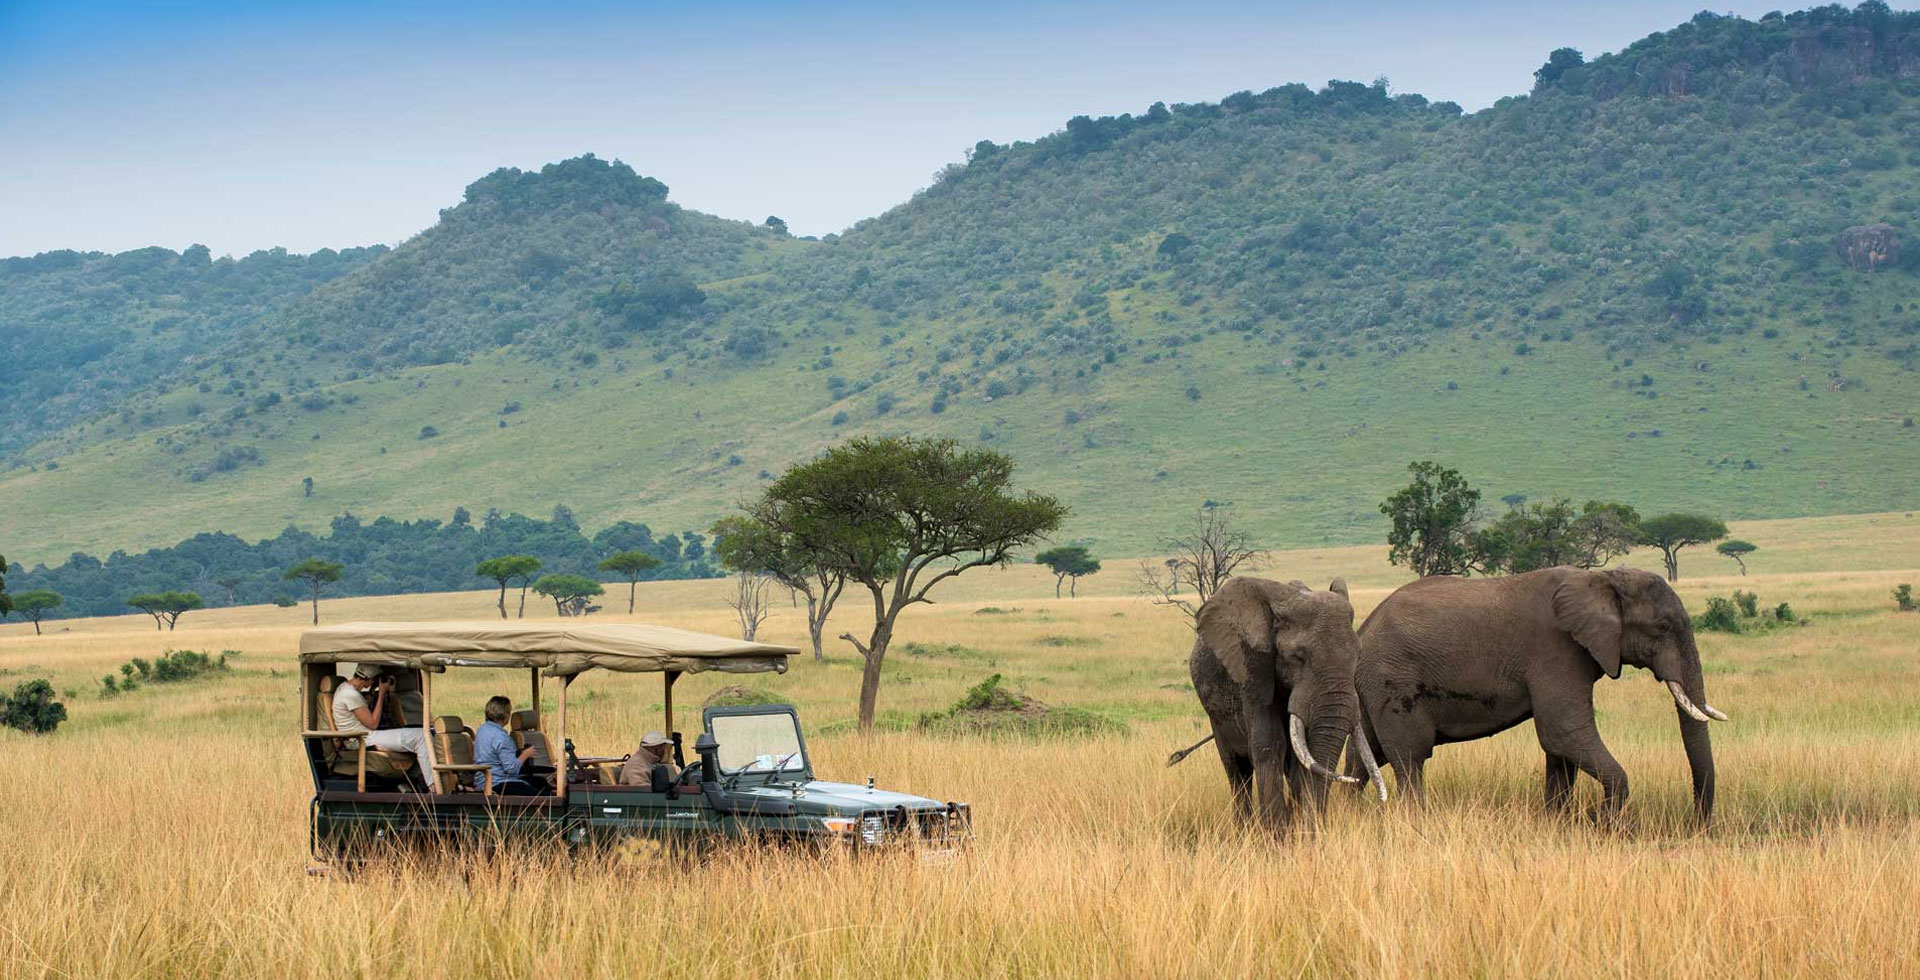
(1451, 660)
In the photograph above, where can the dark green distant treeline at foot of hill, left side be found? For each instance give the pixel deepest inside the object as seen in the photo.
(381, 558)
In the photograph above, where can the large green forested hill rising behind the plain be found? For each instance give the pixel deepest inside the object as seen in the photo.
(1683, 270)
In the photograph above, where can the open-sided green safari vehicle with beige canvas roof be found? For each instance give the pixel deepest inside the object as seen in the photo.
(750, 777)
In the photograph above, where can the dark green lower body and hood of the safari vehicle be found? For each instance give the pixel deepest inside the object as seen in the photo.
(713, 802)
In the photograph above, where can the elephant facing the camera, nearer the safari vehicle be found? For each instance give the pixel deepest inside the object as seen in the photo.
(1274, 668)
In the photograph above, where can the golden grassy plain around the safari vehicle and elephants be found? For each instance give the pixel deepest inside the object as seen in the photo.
(164, 833)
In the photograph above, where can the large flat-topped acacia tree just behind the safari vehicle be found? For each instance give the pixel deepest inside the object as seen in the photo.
(901, 516)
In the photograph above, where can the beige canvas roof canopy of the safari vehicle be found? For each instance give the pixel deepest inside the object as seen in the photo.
(556, 649)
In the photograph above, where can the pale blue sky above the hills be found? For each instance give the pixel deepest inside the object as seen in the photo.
(337, 124)
